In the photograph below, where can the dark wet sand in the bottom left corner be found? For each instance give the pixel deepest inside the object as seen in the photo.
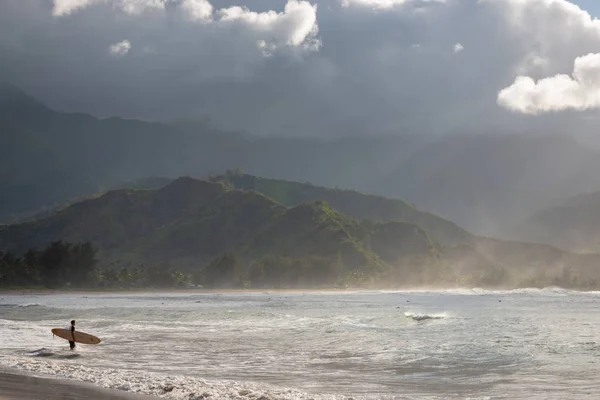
(20, 387)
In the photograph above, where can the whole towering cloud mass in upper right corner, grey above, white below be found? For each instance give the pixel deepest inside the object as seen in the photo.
(552, 33)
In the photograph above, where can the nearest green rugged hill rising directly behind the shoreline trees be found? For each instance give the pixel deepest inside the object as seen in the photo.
(190, 222)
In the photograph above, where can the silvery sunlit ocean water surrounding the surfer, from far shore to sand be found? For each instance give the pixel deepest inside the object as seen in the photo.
(461, 344)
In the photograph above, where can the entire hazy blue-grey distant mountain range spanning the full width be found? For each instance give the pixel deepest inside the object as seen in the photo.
(487, 183)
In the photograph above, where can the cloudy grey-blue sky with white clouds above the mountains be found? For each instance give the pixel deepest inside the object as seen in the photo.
(311, 67)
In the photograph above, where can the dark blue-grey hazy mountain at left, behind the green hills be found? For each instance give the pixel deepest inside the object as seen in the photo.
(48, 158)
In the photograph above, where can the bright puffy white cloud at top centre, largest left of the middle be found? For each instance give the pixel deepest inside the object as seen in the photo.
(295, 26)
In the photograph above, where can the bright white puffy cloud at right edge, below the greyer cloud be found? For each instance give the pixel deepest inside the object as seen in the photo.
(560, 92)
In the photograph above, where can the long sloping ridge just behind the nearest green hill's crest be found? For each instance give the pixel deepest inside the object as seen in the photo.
(353, 203)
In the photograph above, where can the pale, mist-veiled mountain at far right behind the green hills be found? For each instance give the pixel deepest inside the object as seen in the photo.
(486, 183)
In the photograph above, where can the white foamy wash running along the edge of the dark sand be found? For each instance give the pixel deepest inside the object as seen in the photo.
(166, 386)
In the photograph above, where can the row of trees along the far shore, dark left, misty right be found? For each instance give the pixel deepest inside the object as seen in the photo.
(63, 264)
